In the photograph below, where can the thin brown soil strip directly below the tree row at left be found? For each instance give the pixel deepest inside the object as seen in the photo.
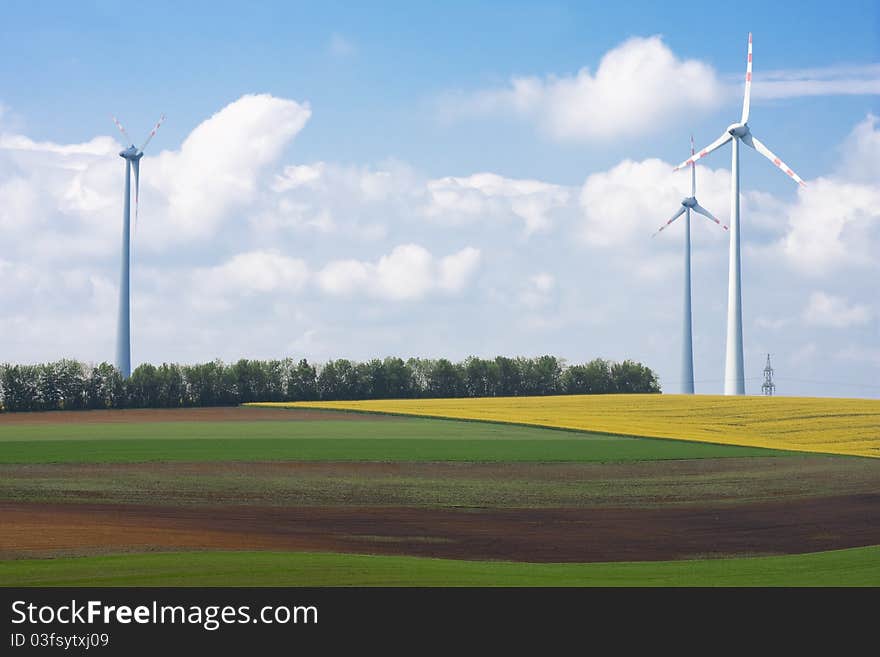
(212, 414)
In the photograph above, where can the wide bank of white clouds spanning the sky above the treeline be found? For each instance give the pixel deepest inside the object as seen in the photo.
(245, 249)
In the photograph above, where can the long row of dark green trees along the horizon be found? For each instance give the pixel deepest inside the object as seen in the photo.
(71, 385)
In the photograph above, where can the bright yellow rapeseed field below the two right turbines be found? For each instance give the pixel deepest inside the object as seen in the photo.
(808, 424)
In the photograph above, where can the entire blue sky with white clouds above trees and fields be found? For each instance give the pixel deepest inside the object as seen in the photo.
(395, 108)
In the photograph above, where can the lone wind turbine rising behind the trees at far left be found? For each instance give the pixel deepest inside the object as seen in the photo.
(132, 156)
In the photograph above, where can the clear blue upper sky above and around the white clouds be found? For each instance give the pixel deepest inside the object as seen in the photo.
(189, 59)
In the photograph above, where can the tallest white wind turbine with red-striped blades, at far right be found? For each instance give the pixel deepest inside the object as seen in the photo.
(734, 378)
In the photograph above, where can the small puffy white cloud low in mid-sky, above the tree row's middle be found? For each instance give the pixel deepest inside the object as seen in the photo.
(408, 273)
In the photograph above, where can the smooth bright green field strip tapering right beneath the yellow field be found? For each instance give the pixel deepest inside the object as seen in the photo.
(377, 440)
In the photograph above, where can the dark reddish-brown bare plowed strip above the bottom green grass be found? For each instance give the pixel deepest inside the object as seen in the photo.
(537, 535)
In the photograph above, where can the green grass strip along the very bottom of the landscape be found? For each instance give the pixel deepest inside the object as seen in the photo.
(855, 567)
